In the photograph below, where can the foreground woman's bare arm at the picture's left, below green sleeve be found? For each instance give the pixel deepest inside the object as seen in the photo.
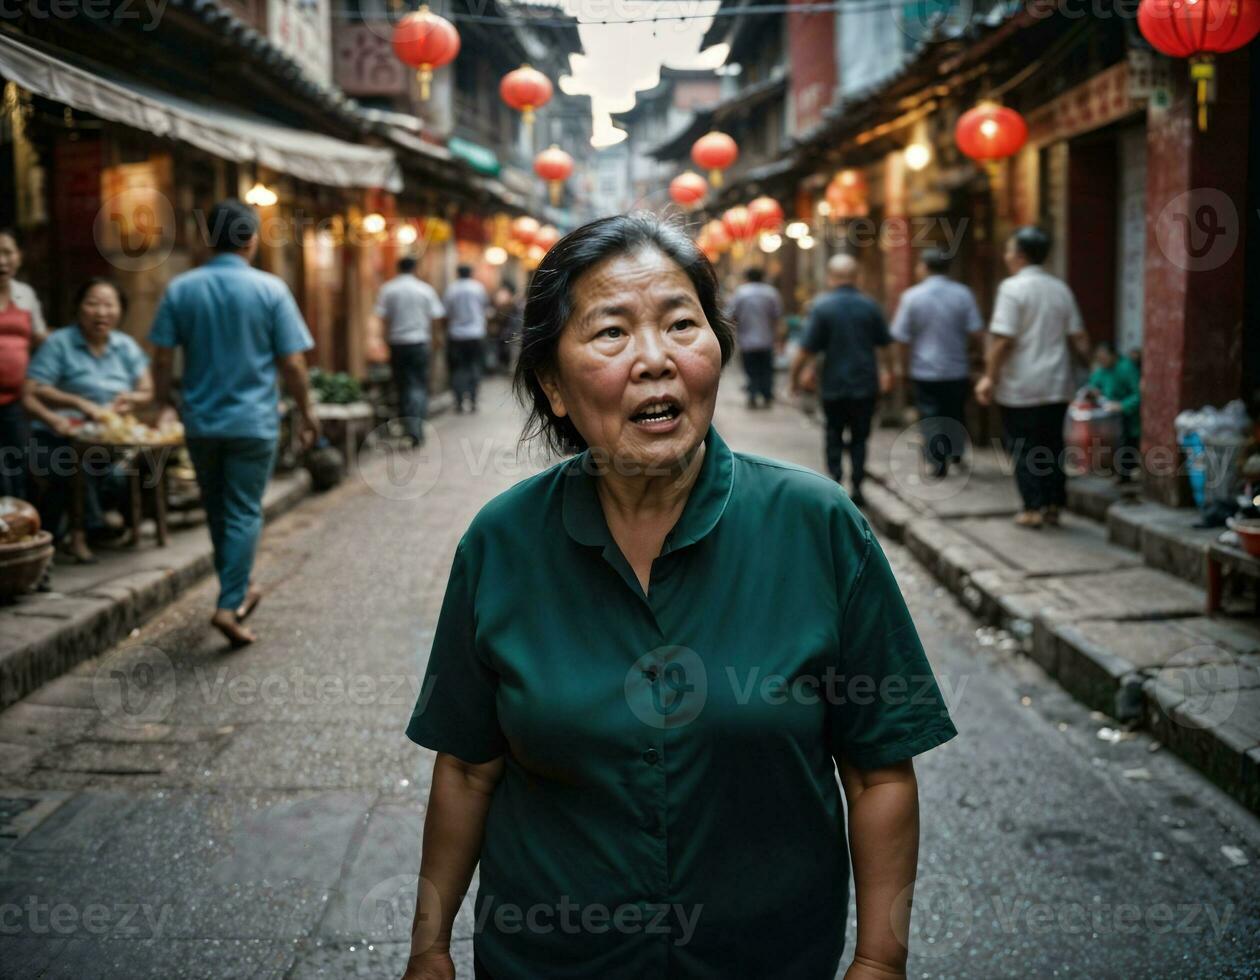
(459, 801)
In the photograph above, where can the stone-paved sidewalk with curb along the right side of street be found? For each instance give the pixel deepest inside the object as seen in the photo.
(1112, 624)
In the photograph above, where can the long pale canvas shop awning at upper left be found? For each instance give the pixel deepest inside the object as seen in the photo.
(217, 129)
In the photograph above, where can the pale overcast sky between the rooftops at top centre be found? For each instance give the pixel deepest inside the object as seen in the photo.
(623, 59)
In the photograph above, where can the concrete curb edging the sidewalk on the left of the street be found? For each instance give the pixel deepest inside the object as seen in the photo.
(94, 622)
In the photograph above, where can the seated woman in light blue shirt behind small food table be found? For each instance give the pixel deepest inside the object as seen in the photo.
(77, 373)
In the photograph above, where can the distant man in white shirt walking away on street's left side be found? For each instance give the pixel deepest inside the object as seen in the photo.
(408, 309)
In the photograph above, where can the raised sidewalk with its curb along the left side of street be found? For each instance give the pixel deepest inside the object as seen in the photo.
(94, 607)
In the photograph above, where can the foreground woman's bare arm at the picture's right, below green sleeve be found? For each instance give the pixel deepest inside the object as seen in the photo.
(884, 842)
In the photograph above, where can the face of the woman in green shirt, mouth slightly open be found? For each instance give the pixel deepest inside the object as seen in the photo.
(638, 363)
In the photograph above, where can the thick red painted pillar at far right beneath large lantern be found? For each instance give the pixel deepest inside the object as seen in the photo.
(1196, 193)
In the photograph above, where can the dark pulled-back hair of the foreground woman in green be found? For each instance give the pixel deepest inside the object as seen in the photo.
(550, 304)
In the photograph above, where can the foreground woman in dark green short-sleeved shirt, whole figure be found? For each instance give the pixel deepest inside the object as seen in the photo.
(662, 668)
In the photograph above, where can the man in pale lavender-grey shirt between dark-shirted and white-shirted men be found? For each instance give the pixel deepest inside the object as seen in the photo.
(932, 328)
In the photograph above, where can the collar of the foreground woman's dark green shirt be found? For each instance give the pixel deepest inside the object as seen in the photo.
(584, 516)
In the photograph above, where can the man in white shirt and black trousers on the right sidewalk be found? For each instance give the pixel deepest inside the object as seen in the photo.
(1036, 327)
